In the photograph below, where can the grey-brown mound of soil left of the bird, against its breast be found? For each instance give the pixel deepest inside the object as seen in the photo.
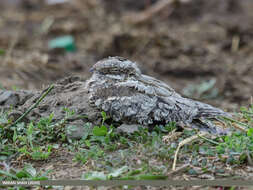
(68, 93)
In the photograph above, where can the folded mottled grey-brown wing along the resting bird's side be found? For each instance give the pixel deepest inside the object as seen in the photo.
(133, 101)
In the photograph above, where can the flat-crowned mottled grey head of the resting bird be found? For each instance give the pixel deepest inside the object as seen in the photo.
(116, 66)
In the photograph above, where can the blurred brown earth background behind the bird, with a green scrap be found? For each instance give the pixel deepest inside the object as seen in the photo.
(202, 48)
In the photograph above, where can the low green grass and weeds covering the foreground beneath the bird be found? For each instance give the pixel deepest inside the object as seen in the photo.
(109, 155)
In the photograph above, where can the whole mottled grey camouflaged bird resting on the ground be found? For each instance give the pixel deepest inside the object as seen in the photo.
(118, 87)
